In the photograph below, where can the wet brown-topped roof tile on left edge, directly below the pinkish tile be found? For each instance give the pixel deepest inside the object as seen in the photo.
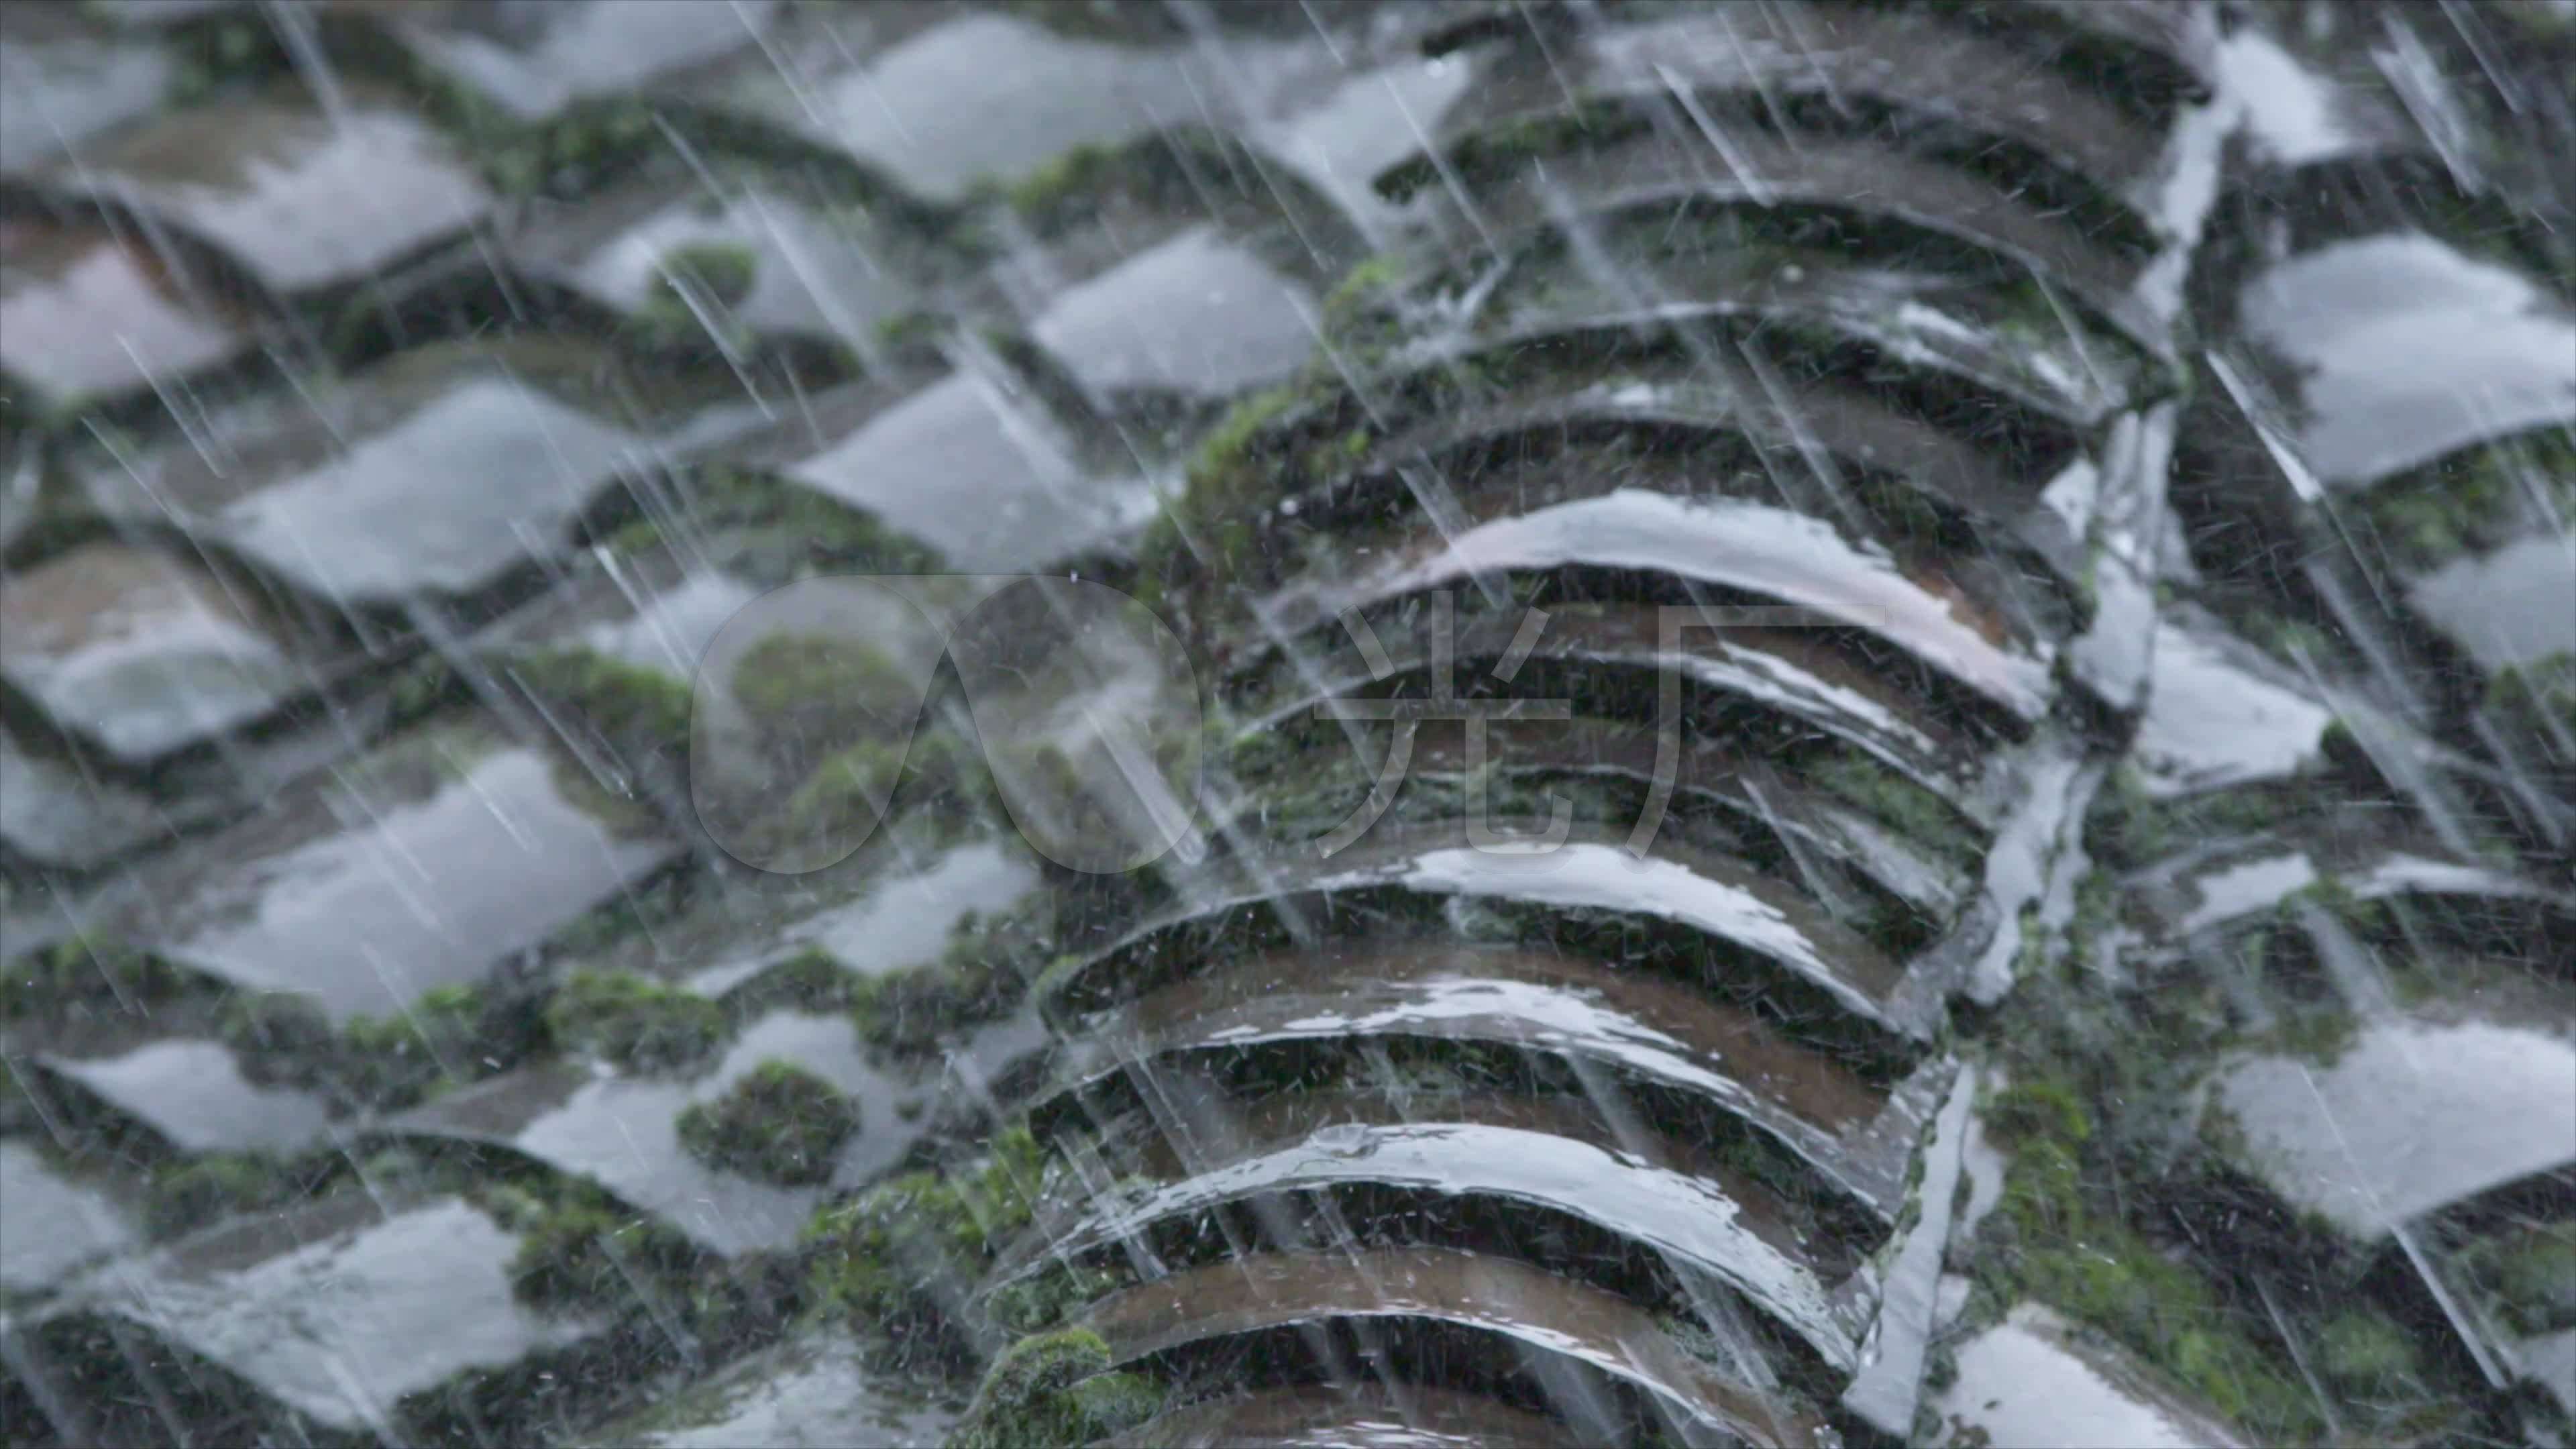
(140, 651)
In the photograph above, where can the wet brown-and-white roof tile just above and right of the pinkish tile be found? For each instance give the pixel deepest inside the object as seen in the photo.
(303, 200)
